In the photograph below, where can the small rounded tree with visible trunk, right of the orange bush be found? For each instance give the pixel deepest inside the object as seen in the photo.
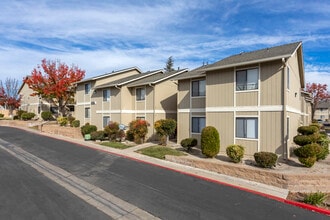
(165, 128)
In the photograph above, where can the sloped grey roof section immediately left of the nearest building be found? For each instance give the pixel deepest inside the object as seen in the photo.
(156, 78)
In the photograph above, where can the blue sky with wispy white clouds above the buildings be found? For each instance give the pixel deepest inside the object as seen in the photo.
(100, 36)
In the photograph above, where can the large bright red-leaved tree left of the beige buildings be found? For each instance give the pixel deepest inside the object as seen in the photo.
(54, 81)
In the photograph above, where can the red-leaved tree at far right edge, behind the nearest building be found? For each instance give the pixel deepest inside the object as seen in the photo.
(319, 93)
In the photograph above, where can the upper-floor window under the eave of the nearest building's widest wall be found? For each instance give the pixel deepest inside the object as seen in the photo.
(247, 79)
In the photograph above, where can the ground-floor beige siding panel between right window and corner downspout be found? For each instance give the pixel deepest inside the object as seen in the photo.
(270, 132)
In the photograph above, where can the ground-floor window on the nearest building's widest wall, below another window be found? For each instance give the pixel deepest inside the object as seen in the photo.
(247, 128)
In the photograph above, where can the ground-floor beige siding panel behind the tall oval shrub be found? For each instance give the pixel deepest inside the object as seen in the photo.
(224, 123)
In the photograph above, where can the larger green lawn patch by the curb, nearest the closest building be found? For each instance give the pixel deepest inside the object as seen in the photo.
(160, 151)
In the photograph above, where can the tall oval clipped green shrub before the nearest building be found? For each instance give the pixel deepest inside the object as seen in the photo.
(210, 141)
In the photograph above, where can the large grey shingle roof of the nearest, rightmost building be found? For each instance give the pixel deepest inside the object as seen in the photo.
(257, 56)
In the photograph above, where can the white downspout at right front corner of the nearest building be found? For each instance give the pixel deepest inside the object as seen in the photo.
(284, 122)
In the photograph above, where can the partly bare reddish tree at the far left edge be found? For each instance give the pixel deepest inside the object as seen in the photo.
(9, 97)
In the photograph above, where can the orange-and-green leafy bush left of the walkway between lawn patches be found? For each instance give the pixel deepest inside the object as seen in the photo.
(139, 129)
